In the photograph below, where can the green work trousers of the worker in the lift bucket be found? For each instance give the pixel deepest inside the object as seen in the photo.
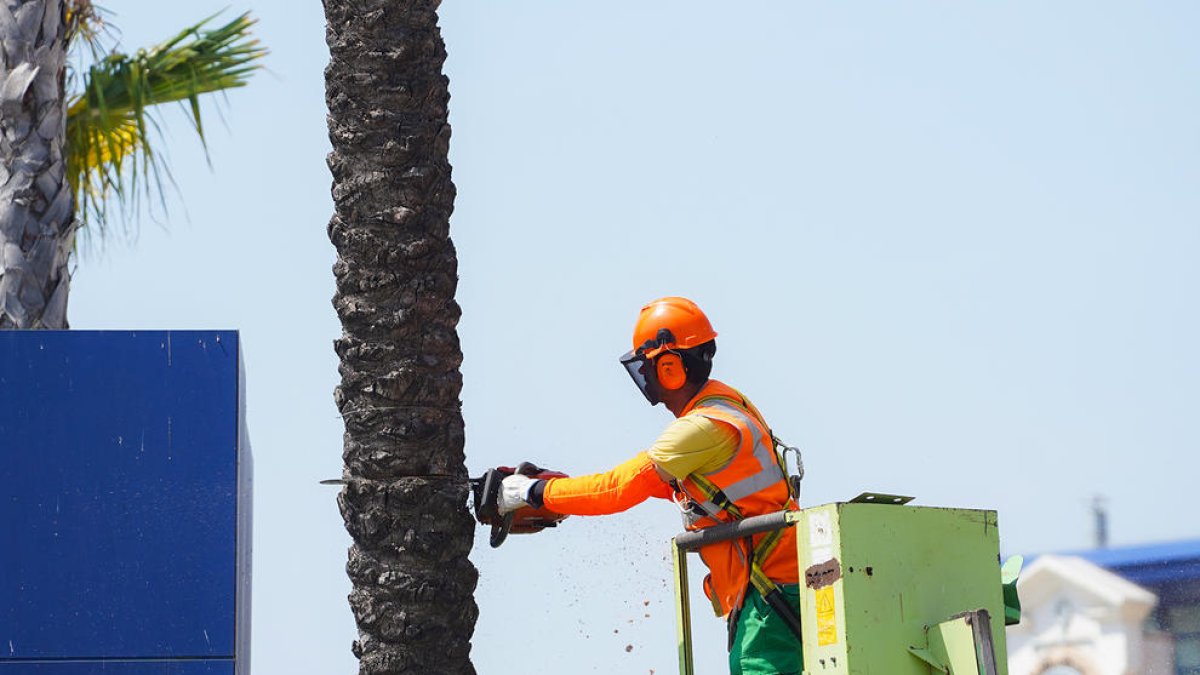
(764, 644)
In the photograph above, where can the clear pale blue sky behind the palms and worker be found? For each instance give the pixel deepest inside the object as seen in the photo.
(950, 248)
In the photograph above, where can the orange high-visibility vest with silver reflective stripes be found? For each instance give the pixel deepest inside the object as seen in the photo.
(752, 483)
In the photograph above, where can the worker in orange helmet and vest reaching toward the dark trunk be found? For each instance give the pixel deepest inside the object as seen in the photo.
(718, 463)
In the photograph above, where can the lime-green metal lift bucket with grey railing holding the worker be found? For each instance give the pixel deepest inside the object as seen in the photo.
(886, 588)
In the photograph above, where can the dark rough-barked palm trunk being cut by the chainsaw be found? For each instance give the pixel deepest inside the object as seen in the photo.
(406, 481)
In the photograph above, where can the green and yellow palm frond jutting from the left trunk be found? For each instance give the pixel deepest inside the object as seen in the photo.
(112, 136)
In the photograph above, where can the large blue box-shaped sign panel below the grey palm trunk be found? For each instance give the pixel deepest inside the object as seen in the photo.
(125, 503)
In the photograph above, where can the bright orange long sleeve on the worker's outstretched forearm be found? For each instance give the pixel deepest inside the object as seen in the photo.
(626, 487)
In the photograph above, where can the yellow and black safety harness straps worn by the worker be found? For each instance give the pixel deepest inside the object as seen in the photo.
(766, 546)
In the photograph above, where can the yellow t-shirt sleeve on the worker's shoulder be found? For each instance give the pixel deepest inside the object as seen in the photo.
(694, 444)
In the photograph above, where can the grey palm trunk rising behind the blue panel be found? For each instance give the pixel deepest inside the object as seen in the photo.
(38, 222)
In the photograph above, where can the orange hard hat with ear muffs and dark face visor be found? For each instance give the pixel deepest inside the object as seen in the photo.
(665, 328)
